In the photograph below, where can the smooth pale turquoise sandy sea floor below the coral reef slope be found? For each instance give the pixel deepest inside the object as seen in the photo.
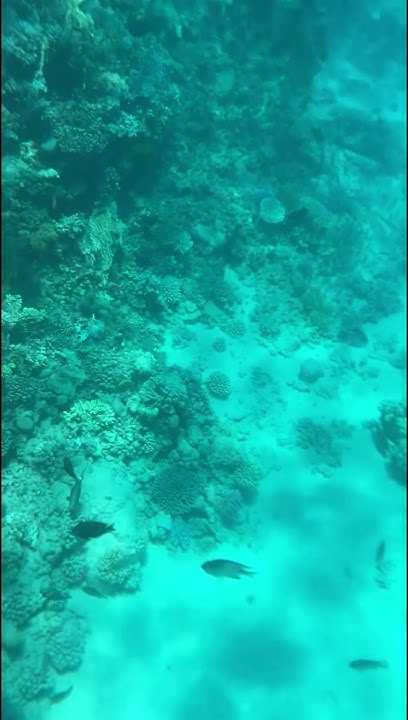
(189, 646)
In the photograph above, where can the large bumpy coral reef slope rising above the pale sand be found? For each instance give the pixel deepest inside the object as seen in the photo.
(163, 249)
